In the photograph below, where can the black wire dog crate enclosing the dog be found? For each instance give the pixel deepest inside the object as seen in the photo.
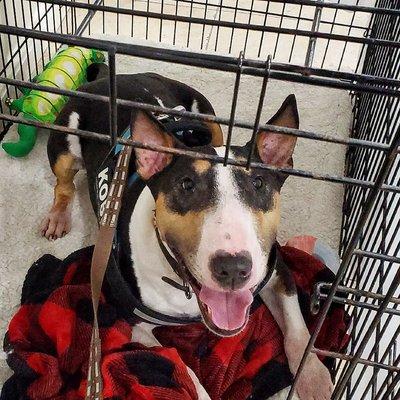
(348, 45)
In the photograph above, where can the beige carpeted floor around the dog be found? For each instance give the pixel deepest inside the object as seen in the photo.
(308, 206)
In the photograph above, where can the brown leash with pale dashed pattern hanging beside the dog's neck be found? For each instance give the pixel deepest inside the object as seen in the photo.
(101, 255)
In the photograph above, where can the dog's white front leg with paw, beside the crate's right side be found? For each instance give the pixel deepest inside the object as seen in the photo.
(280, 296)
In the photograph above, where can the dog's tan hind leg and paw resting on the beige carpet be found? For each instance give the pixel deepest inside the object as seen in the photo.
(57, 223)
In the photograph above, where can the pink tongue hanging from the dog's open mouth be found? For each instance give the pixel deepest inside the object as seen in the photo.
(228, 309)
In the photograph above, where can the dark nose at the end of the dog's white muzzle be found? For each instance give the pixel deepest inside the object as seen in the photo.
(231, 271)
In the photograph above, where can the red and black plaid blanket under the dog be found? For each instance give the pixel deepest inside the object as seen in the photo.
(48, 342)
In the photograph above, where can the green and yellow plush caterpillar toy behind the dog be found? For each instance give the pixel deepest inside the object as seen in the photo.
(67, 70)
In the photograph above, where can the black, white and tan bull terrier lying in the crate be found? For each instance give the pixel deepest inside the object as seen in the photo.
(220, 223)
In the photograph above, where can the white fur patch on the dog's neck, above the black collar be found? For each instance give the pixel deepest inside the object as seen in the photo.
(150, 264)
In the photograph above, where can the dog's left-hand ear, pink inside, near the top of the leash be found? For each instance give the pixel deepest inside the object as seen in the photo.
(147, 130)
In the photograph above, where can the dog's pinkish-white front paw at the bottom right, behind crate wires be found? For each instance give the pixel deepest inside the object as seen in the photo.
(314, 381)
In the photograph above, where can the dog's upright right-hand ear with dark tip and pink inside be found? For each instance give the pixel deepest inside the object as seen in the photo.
(274, 148)
